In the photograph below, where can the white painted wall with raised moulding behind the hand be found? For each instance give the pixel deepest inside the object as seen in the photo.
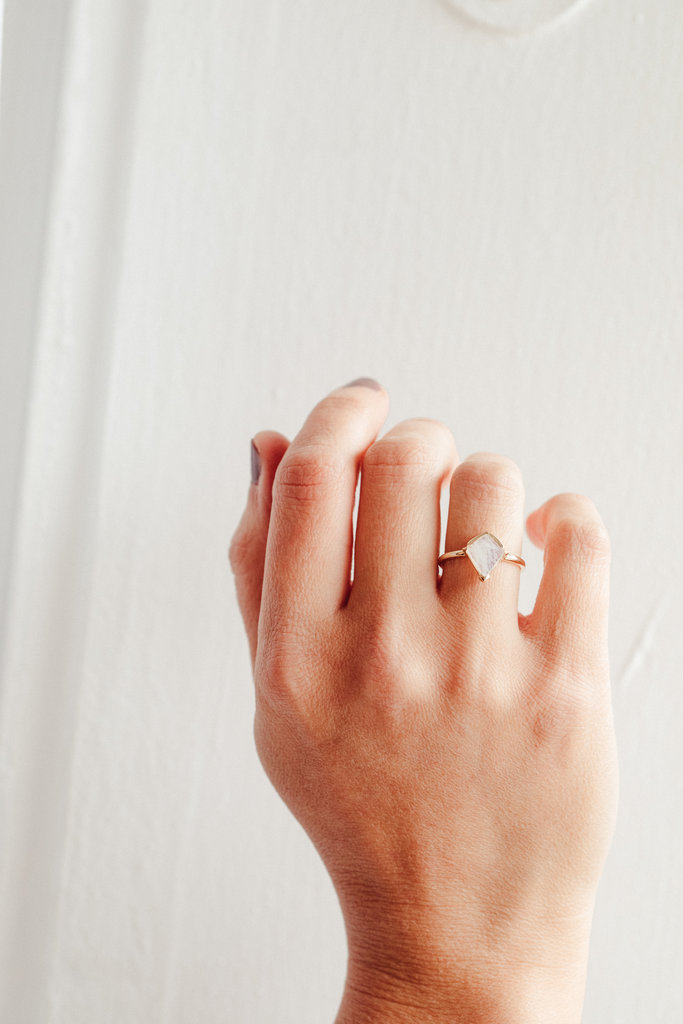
(214, 214)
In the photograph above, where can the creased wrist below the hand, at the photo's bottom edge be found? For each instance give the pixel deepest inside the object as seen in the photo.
(417, 970)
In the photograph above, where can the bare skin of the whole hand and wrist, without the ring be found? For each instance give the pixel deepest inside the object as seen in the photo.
(453, 761)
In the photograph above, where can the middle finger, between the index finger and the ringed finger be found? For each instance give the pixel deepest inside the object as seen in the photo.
(399, 526)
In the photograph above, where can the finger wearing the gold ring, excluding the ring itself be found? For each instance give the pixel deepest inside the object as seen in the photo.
(487, 497)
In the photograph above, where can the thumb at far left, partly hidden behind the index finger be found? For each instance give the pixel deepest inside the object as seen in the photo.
(247, 552)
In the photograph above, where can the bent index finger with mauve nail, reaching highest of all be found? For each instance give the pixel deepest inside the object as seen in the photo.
(309, 559)
